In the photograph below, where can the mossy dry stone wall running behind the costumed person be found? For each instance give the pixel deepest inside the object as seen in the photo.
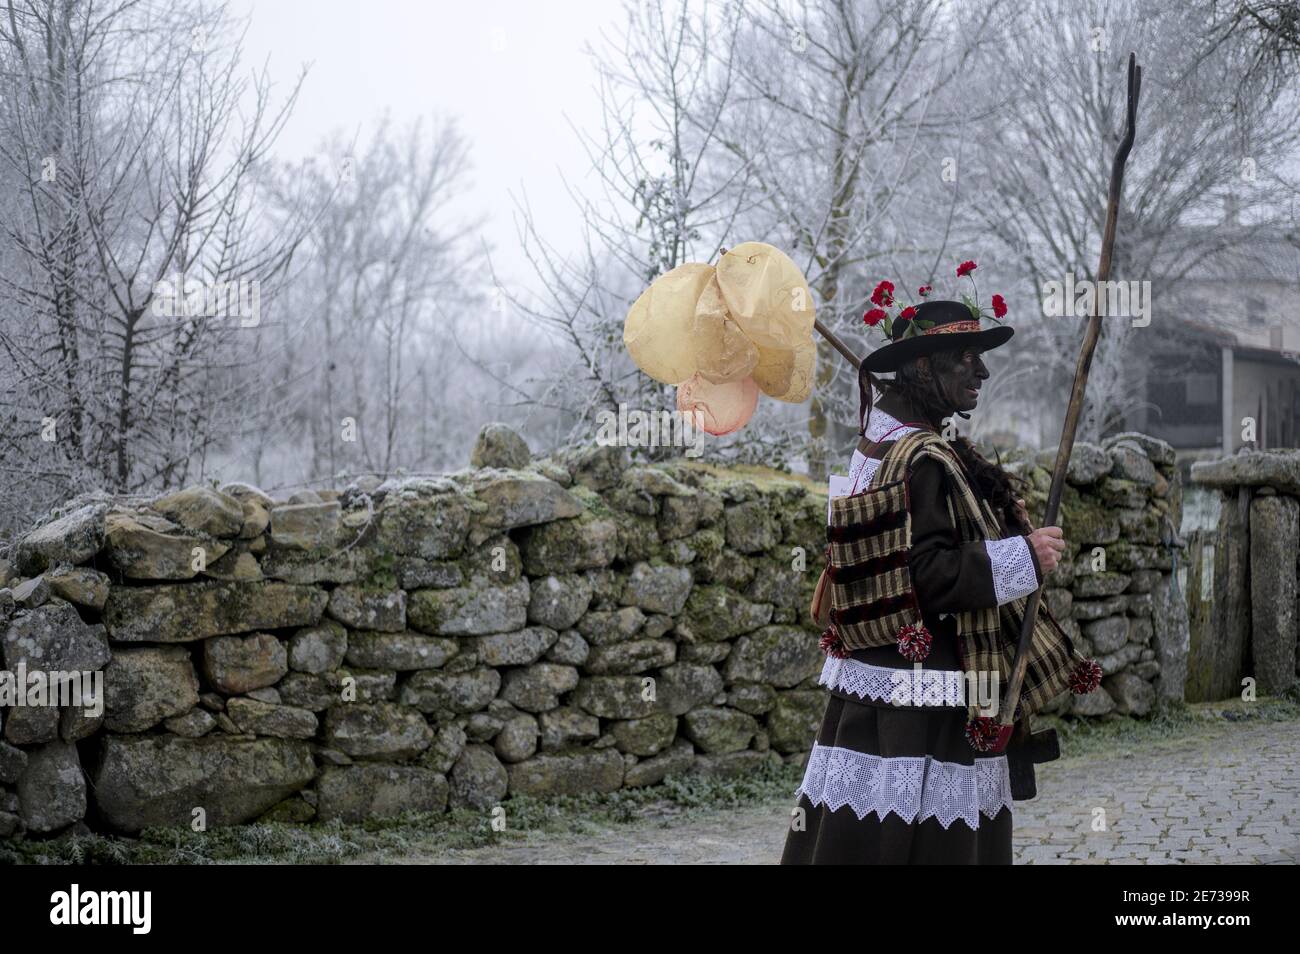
(539, 626)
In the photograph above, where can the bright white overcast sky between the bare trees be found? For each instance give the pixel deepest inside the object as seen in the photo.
(510, 71)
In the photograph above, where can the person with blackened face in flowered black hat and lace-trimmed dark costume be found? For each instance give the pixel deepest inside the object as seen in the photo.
(896, 778)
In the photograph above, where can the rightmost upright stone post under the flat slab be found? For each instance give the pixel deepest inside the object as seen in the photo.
(1275, 543)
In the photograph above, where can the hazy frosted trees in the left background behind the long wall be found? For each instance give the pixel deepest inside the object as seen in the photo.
(388, 274)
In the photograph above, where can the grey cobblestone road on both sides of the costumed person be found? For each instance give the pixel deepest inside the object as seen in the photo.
(1229, 796)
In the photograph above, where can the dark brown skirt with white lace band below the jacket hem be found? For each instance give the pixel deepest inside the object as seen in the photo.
(899, 786)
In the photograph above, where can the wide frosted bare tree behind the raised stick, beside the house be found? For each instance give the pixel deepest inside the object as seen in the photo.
(1041, 172)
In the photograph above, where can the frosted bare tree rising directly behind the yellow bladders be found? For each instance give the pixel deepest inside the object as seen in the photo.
(664, 83)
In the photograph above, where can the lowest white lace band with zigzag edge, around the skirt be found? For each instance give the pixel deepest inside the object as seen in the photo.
(913, 788)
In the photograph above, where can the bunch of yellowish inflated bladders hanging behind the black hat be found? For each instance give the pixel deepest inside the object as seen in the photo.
(749, 320)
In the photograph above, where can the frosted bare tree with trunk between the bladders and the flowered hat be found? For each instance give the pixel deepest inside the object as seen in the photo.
(838, 110)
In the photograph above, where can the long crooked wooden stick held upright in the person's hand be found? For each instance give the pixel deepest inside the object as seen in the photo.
(1074, 411)
